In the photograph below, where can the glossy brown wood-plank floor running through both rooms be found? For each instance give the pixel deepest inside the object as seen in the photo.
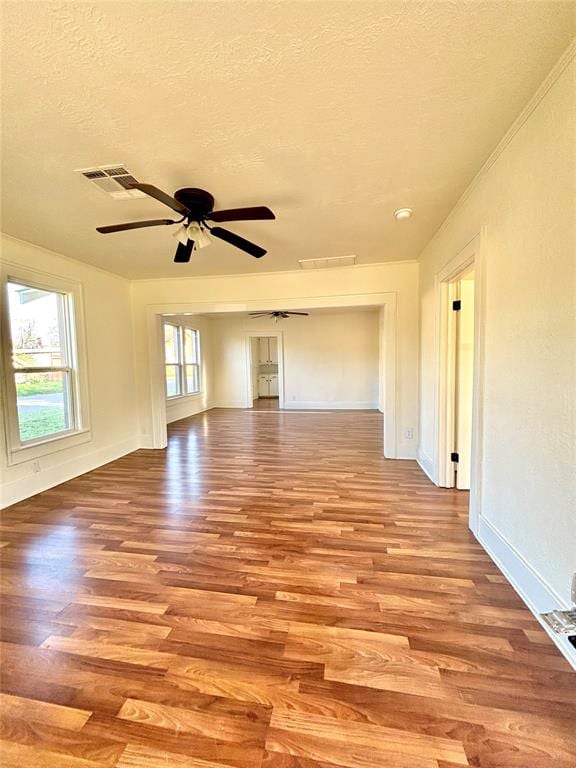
(268, 593)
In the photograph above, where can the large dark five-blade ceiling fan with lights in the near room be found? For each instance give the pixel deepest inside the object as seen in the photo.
(195, 206)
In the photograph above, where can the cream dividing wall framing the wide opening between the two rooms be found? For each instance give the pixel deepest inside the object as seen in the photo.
(340, 287)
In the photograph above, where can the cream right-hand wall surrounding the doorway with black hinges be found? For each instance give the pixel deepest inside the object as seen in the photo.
(526, 203)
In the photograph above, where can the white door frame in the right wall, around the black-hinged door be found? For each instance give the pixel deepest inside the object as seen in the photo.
(445, 289)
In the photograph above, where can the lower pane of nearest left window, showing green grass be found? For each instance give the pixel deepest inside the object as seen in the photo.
(43, 401)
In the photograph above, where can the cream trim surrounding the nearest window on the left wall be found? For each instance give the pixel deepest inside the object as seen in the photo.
(16, 451)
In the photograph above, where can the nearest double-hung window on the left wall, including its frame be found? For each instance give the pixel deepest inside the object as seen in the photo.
(42, 383)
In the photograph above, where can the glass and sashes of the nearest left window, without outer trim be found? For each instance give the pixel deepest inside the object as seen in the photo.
(42, 374)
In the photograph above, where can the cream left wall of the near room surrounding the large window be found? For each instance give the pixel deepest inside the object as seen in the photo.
(112, 398)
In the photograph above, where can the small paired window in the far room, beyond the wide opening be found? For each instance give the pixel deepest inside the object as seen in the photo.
(182, 360)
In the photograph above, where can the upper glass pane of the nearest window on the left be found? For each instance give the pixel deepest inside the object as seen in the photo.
(36, 326)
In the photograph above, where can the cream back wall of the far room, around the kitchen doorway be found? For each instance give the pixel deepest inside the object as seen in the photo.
(330, 359)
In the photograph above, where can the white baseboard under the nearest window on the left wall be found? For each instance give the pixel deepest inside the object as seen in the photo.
(31, 484)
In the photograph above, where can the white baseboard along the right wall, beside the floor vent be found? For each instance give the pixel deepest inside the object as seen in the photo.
(534, 591)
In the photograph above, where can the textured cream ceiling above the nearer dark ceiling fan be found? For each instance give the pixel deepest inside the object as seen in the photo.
(332, 113)
